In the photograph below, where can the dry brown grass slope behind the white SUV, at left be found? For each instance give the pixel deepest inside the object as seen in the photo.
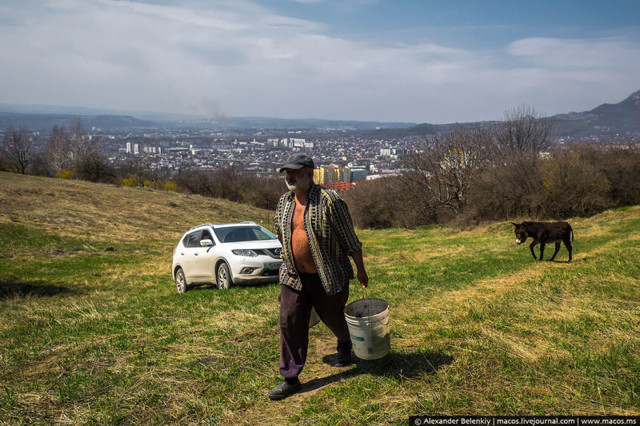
(107, 212)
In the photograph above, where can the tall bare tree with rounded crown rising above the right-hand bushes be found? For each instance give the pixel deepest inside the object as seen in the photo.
(524, 130)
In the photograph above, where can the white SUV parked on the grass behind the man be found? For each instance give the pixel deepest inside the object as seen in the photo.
(234, 253)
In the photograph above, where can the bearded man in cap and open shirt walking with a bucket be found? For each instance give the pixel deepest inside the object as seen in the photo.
(315, 229)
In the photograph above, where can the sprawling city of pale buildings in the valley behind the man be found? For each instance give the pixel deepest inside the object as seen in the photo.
(345, 156)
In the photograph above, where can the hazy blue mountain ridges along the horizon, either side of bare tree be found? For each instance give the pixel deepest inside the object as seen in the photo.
(607, 121)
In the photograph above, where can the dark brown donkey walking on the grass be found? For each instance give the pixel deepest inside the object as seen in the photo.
(543, 233)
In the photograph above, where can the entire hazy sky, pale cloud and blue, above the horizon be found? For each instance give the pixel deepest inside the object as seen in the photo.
(434, 61)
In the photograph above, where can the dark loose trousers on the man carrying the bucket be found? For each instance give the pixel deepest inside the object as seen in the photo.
(295, 309)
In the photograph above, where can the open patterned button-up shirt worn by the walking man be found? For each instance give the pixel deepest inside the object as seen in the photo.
(331, 238)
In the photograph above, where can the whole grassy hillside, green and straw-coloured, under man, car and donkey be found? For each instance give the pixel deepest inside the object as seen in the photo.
(92, 331)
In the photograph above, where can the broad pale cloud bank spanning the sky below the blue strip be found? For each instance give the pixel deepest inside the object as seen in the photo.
(238, 58)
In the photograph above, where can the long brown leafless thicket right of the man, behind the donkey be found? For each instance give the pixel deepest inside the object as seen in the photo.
(574, 180)
